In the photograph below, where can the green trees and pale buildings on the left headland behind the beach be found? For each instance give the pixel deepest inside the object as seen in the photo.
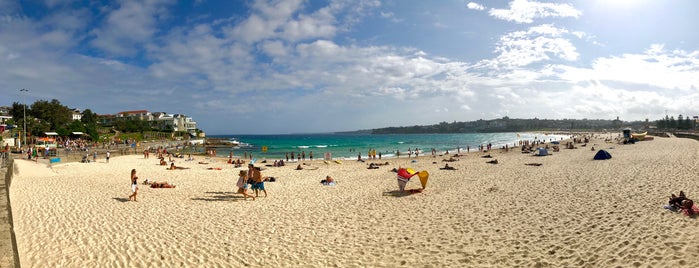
(44, 118)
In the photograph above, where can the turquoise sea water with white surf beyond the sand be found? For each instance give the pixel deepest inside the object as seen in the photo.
(348, 146)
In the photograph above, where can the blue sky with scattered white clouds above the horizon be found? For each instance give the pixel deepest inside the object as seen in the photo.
(295, 66)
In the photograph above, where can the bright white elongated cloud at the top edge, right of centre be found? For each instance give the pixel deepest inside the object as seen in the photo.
(525, 11)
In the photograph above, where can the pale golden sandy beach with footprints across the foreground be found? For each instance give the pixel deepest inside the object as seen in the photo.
(571, 211)
